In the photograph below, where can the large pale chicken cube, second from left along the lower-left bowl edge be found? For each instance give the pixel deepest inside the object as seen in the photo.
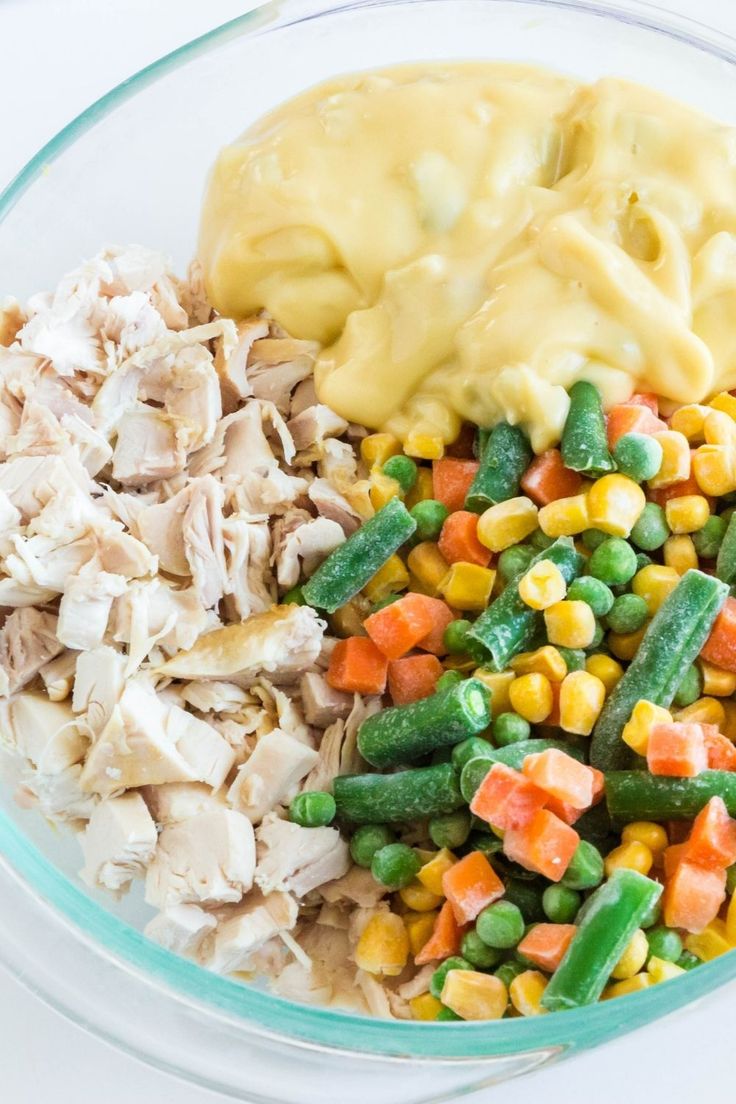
(209, 859)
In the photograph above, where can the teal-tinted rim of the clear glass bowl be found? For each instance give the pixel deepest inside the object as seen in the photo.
(190, 984)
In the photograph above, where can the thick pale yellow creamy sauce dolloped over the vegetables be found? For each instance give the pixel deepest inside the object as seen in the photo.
(466, 241)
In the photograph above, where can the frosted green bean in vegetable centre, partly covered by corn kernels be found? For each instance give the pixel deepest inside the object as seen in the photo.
(509, 627)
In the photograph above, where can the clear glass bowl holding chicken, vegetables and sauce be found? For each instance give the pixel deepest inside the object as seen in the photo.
(132, 169)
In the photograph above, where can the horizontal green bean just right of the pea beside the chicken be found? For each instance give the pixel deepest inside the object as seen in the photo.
(400, 798)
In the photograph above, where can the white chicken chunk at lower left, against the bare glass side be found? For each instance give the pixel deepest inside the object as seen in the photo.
(119, 843)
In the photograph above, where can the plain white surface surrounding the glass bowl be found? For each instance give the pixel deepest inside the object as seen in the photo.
(56, 58)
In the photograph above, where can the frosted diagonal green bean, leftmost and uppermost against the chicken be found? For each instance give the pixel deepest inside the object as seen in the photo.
(350, 567)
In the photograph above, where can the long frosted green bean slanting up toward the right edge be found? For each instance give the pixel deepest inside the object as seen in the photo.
(673, 642)
